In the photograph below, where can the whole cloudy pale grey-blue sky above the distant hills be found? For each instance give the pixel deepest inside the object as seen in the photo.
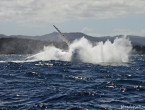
(92, 17)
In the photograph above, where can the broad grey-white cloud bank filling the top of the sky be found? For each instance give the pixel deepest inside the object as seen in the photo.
(51, 11)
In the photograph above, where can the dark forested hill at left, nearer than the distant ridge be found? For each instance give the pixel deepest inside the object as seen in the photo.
(25, 46)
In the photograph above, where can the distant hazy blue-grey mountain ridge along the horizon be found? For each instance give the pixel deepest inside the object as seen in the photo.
(55, 37)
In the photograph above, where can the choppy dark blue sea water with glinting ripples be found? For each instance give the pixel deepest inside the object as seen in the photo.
(59, 85)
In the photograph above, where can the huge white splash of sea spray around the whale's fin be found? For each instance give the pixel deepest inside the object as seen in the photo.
(82, 50)
